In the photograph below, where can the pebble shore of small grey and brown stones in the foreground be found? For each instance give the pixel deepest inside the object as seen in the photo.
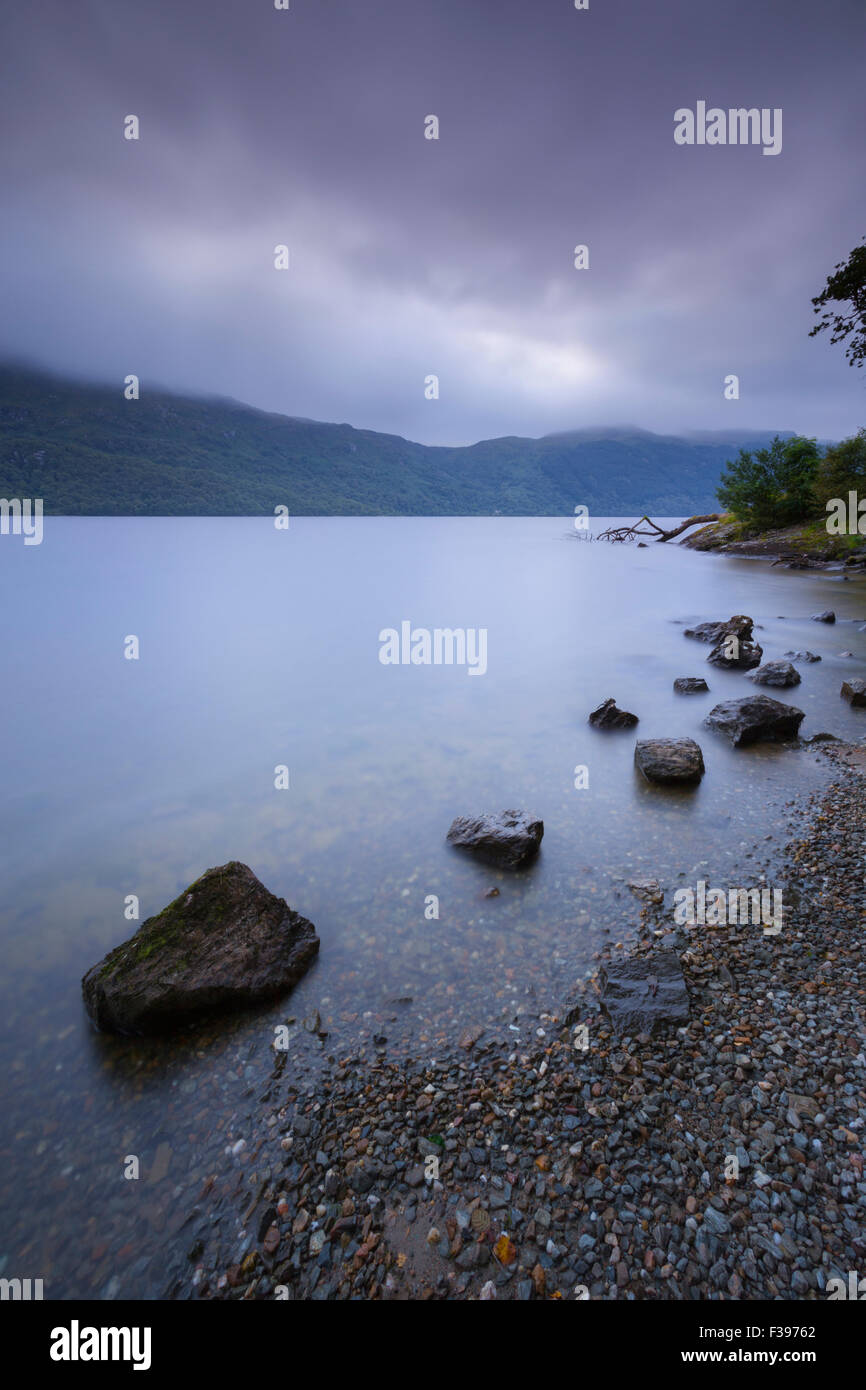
(601, 1170)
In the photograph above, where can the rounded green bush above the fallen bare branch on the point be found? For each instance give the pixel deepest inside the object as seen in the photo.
(772, 487)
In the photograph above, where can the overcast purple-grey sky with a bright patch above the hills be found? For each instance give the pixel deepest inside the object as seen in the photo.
(454, 256)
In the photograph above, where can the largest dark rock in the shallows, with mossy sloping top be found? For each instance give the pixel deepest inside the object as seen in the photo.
(226, 943)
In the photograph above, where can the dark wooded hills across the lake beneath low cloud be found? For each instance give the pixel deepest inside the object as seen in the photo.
(87, 451)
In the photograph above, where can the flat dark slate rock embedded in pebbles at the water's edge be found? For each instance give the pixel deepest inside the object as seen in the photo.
(646, 995)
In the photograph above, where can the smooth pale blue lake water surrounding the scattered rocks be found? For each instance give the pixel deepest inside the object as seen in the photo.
(261, 648)
